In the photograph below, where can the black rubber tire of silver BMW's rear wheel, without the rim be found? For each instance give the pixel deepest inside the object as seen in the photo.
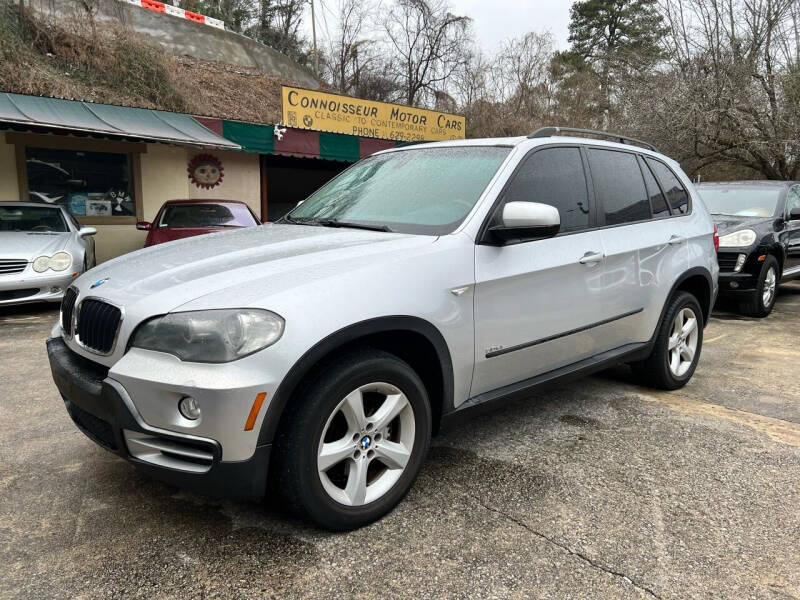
(655, 371)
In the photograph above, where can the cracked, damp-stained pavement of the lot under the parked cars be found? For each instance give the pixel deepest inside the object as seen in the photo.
(598, 489)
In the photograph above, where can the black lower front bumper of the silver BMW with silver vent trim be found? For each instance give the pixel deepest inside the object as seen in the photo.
(101, 409)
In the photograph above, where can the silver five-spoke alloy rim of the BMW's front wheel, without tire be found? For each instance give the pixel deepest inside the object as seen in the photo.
(366, 444)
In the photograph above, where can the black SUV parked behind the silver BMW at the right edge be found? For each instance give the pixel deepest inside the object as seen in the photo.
(759, 228)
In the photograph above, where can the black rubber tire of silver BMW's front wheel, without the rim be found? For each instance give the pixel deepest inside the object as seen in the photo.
(295, 466)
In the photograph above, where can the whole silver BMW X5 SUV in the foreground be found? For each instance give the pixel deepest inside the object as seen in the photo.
(314, 358)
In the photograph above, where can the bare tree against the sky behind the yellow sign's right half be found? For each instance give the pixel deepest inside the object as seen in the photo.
(428, 44)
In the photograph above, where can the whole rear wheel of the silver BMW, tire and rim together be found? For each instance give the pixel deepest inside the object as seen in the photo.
(677, 346)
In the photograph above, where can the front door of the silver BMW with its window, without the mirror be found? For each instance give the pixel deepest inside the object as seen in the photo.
(534, 300)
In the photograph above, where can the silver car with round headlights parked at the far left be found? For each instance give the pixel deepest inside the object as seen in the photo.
(42, 249)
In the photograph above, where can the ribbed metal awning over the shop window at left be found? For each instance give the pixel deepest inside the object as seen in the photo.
(107, 119)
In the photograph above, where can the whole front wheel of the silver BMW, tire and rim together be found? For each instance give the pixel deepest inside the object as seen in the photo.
(354, 441)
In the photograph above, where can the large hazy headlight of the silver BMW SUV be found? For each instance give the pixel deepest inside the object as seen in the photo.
(211, 336)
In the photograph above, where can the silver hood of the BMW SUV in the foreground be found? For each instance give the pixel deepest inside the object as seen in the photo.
(258, 261)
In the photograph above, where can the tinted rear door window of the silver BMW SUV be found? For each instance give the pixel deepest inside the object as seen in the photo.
(619, 186)
